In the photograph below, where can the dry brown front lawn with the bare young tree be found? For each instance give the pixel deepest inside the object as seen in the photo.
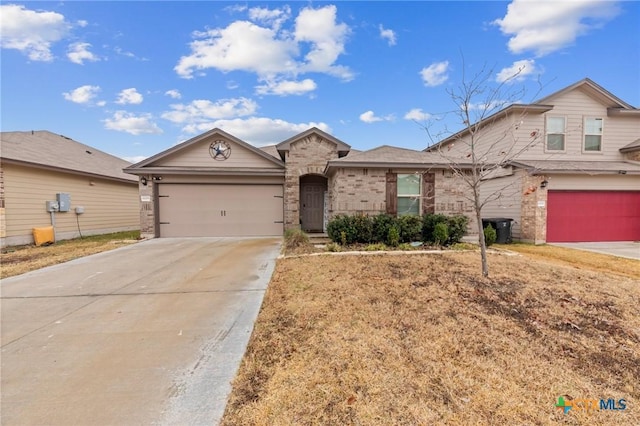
(422, 339)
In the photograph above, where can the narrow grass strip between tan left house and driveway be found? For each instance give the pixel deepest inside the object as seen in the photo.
(17, 260)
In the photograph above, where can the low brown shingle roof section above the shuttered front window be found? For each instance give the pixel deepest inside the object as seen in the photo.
(386, 156)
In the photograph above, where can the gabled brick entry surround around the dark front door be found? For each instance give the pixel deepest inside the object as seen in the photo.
(308, 155)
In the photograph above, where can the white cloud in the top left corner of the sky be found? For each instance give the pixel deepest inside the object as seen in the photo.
(31, 32)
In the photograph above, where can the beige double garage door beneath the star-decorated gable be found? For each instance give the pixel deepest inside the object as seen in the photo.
(192, 210)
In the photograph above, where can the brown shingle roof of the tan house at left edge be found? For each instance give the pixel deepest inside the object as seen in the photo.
(47, 150)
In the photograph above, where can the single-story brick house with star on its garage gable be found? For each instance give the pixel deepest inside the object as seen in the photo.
(218, 185)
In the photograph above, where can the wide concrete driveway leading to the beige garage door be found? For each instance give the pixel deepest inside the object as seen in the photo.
(151, 333)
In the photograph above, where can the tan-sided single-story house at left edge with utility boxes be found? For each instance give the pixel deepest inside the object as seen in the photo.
(37, 167)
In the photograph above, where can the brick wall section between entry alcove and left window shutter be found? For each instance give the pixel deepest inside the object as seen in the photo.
(357, 190)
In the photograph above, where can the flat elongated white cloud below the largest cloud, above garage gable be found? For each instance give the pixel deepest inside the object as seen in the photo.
(204, 111)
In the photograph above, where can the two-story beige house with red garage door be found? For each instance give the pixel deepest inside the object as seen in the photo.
(573, 166)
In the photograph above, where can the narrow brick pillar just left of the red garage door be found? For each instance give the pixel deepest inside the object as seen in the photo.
(533, 227)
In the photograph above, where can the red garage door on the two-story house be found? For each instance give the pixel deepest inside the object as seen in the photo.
(574, 216)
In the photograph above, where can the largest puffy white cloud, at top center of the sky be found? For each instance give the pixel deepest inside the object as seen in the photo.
(271, 52)
